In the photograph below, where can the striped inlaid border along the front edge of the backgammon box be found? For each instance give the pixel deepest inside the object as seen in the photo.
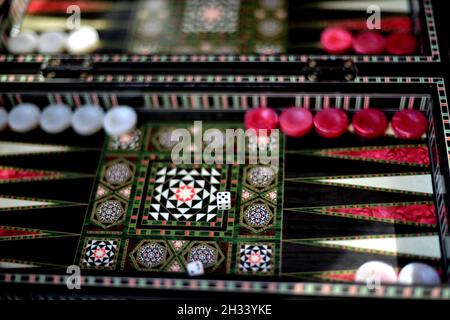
(231, 286)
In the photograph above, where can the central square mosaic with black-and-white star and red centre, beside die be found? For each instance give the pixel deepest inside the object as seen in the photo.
(180, 200)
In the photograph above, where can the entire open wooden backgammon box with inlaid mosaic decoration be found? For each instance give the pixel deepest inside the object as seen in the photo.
(122, 214)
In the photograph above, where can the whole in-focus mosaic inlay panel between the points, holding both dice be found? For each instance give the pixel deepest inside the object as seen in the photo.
(150, 214)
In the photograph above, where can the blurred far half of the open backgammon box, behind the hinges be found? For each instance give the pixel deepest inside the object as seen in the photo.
(148, 34)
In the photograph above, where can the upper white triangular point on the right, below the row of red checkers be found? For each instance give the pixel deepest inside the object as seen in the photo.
(419, 183)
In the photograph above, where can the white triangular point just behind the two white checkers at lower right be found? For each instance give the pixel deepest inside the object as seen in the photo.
(422, 246)
